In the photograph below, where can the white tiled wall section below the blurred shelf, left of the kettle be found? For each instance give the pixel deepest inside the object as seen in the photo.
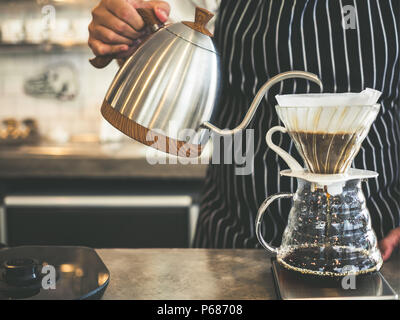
(81, 115)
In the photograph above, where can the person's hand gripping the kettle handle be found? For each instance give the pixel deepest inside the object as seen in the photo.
(116, 27)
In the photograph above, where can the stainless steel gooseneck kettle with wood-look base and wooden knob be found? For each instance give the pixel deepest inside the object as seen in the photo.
(168, 89)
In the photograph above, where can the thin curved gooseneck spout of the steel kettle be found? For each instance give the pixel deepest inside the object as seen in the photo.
(259, 96)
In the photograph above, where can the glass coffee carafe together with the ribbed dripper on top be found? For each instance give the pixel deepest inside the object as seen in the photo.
(329, 229)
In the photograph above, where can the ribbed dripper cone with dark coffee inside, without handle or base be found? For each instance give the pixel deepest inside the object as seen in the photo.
(328, 137)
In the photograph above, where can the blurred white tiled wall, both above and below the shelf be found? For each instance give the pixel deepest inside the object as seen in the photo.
(80, 116)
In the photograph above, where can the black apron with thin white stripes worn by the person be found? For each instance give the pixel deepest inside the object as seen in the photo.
(258, 39)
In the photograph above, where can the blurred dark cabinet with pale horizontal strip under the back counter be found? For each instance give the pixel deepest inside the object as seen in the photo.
(100, 213)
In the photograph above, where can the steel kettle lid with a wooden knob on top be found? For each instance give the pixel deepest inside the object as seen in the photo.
(195, 32)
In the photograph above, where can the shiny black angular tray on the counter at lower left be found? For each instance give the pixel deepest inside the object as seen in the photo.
(80, 273)
